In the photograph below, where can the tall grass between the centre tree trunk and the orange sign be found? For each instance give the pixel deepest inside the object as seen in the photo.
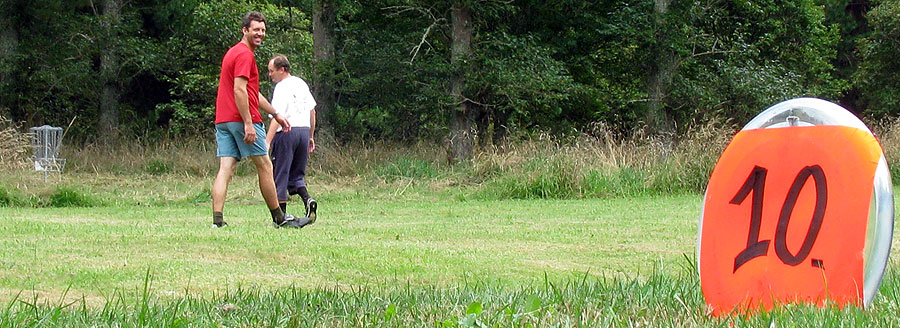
(601, 165)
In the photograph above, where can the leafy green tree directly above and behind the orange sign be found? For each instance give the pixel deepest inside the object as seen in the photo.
(737, 58)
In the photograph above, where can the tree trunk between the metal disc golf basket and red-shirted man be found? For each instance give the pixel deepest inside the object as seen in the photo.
(109, 67)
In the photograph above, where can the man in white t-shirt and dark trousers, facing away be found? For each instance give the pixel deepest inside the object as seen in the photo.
(290, 150)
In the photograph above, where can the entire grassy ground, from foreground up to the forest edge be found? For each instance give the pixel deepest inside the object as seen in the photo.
(590, 231)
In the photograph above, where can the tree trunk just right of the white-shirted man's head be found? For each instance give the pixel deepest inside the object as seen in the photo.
(324, 12)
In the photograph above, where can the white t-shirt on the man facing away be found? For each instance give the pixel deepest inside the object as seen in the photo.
(293, 100)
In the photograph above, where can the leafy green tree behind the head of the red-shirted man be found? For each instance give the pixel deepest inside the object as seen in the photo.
(196, 48)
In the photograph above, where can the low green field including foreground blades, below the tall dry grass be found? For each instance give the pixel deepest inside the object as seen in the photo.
(405, 254)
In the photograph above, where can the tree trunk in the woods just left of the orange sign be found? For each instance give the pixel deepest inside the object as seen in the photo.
(660, 76)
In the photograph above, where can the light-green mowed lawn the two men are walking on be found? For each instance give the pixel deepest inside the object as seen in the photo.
(439, 242)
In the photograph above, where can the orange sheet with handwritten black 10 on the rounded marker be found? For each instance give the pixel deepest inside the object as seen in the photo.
(785, 217)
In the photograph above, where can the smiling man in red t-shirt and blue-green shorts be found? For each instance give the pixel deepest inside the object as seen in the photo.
(239, 128)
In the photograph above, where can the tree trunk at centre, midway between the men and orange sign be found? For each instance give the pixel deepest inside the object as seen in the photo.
(462, 125)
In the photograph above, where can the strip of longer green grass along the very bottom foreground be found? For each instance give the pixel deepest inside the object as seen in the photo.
(660, 300)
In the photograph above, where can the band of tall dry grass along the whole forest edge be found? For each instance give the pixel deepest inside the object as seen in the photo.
(529, 166)
